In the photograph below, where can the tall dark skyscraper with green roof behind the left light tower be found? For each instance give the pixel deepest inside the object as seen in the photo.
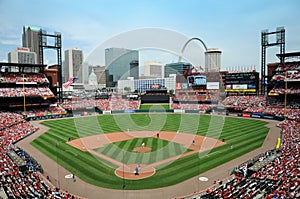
(31, 40)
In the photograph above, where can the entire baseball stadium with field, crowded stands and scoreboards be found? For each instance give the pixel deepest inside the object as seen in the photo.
(218, 134)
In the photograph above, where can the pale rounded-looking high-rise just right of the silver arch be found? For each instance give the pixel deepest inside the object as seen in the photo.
(213, 60)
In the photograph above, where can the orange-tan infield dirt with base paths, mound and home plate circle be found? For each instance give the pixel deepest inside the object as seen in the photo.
(137, 171)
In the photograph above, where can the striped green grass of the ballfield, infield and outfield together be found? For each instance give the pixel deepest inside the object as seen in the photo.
(244, 134)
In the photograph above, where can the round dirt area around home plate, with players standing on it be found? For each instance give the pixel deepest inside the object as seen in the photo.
(128, 171)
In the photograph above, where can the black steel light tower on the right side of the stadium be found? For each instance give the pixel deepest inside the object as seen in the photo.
(280, 41)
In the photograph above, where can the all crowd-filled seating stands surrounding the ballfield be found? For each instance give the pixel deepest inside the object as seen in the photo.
(273, 174)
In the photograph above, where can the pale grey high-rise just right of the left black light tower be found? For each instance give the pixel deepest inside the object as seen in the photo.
(73, 65)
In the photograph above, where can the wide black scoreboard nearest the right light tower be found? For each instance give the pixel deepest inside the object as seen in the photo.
(242, 82)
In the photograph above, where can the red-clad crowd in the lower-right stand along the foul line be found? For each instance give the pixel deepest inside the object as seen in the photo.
(274, 174)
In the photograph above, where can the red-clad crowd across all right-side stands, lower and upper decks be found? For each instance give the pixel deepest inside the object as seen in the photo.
(276, 173)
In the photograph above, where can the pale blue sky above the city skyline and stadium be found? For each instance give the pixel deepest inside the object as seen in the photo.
(233, 26)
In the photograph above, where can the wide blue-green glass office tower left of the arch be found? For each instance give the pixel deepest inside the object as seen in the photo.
(120, 63)
